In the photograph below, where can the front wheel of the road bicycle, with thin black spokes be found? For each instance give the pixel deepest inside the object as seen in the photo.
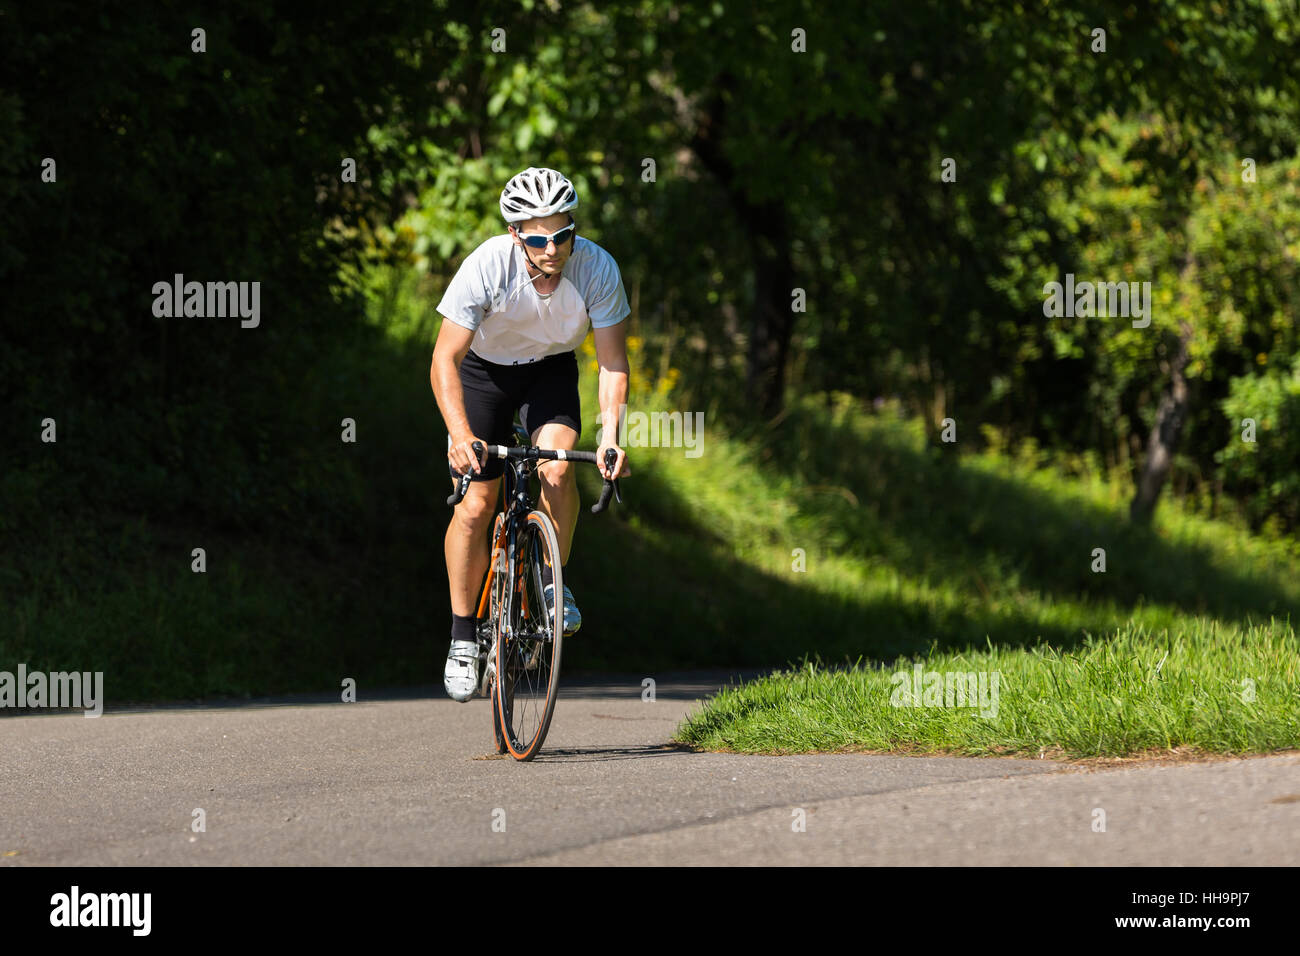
(528, 654)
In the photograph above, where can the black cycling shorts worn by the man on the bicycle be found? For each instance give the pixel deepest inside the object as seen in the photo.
(543, 392)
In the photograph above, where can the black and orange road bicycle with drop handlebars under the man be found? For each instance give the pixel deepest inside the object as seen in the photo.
(521, 635)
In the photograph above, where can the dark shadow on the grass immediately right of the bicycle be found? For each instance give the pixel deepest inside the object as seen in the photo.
(682, 603)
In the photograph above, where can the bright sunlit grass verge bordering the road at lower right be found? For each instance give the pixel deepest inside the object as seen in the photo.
(1211, 689)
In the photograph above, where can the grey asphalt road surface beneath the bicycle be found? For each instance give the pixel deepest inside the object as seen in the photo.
(415, 781)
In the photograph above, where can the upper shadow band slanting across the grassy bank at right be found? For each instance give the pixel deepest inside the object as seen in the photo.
(939, 518)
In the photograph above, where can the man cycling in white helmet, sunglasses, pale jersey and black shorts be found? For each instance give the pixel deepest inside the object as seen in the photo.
(513, 317)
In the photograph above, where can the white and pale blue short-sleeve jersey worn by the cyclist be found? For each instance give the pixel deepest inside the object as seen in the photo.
(492, 296)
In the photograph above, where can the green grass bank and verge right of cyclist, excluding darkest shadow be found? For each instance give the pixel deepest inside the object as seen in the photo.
(983, 563)
